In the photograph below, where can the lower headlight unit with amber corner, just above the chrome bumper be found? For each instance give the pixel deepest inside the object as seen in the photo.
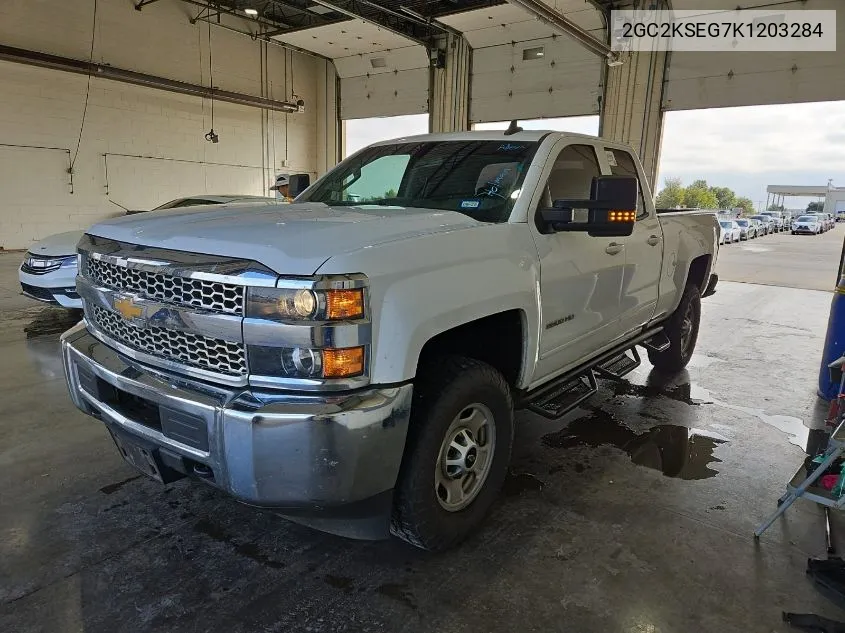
(305, 362)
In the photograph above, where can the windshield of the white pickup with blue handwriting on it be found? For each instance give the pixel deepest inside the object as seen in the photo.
(480, 179)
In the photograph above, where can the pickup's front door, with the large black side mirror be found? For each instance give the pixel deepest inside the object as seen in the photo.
(580, 275)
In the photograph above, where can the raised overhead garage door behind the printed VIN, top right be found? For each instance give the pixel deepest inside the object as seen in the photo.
(724, 79)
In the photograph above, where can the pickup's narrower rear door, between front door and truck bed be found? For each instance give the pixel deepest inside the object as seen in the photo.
(643, 250)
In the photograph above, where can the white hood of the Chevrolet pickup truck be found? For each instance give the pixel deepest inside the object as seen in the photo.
(293, 239)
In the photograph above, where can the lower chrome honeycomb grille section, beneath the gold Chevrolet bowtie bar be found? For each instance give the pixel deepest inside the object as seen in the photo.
(211, 354)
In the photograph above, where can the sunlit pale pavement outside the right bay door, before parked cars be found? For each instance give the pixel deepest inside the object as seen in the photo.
(782, 259)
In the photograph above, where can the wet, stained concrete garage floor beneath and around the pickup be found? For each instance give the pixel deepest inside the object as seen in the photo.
(589, 535)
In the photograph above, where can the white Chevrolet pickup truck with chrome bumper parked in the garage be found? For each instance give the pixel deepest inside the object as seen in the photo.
(353, 360)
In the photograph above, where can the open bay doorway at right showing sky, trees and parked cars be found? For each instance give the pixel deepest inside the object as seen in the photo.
(727, 157)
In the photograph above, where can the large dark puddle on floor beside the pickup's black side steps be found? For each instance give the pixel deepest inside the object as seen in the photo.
(677, 451)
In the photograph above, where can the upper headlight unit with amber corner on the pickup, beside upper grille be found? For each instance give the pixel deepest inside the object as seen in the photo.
(288, 304)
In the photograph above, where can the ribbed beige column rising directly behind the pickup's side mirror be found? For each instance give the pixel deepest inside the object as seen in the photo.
(632, 110)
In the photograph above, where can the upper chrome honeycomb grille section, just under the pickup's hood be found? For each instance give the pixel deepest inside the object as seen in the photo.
(198, 293)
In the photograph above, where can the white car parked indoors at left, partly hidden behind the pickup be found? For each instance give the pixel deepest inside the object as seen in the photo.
(48, 272)
